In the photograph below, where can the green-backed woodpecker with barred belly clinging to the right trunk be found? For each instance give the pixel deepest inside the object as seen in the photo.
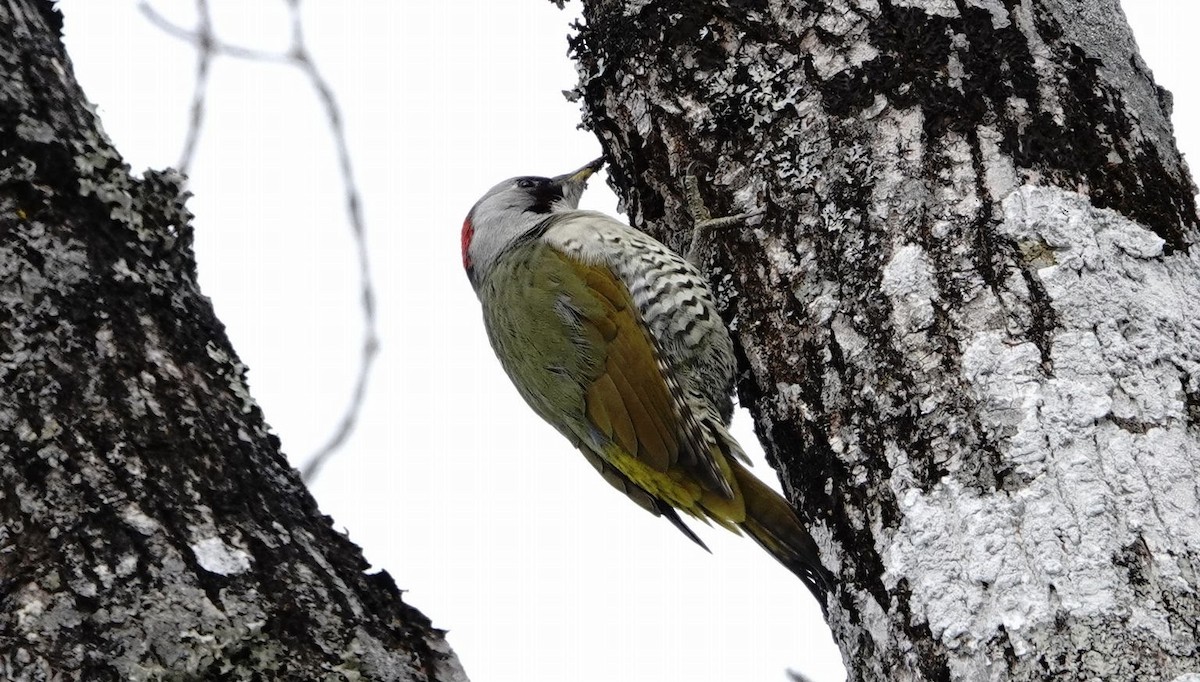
(615, 340)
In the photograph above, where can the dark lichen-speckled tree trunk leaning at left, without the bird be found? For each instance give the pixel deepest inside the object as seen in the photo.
(151, 527)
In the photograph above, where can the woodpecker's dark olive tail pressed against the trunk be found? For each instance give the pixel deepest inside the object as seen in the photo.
(775, 527)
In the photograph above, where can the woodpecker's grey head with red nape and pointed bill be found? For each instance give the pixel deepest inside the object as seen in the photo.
(514, 210)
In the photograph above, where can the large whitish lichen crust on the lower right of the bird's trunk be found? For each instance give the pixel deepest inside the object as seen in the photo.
(1102, 447)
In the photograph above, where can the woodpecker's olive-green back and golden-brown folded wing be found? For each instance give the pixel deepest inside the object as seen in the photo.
(573, 342)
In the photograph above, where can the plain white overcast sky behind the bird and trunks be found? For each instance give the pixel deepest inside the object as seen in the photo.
(496, 528)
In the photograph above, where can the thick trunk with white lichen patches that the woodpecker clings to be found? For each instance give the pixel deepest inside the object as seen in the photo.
(969, 316)
